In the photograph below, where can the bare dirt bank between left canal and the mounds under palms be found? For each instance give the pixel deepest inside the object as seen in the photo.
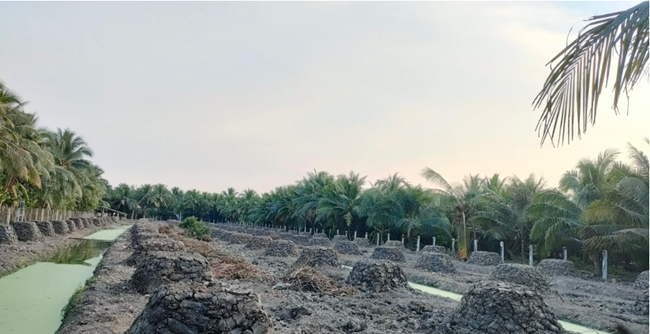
(22, 254)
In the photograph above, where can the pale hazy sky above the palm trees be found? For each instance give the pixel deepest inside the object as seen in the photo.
(211, 95)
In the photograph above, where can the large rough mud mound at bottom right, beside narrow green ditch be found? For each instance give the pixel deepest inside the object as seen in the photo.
(499, 307)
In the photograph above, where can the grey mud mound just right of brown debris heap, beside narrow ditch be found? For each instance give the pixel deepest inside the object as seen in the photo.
(377, 276)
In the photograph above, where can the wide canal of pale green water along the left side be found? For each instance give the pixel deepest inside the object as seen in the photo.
(33, 297)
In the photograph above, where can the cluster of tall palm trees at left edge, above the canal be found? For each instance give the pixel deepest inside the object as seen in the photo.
(40, 168)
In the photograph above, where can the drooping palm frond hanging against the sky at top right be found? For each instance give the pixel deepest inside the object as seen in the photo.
(580, 71)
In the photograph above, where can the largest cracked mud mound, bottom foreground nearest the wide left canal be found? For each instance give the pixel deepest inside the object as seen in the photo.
(181, 309)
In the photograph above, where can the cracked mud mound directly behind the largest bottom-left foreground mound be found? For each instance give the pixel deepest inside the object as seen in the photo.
(162, 268)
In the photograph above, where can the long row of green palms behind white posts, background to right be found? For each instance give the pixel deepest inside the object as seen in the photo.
(600, 204)
